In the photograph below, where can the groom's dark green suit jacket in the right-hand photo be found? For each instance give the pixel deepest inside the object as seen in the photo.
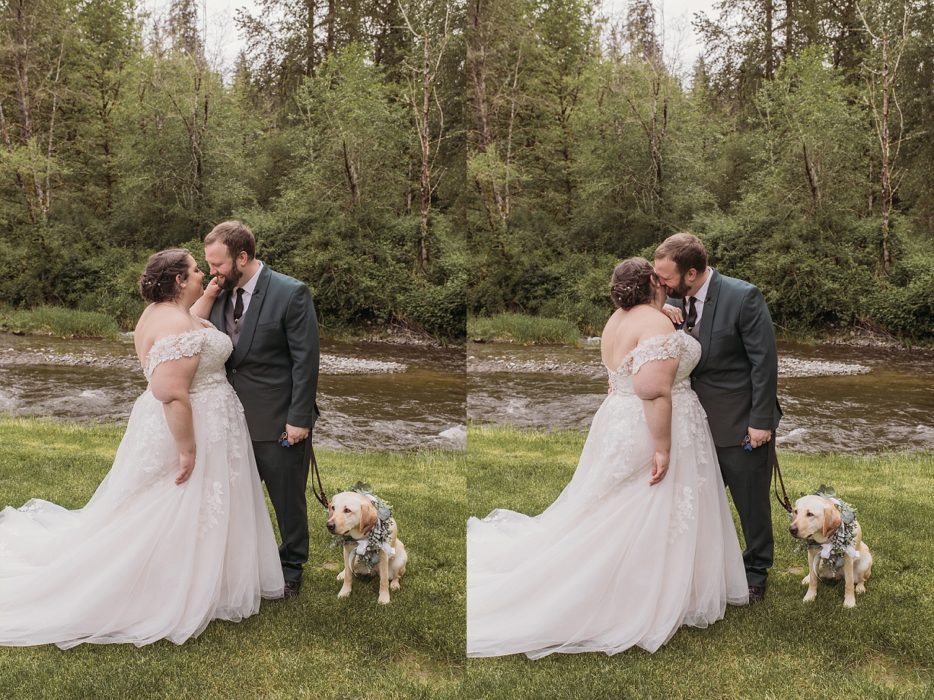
(736, 378)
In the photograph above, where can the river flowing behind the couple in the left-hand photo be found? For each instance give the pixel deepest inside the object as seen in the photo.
(371, 395)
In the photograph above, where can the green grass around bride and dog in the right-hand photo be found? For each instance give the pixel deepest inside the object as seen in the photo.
(782, 648)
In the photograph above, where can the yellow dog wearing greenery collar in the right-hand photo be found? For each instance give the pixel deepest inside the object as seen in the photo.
(818, 518)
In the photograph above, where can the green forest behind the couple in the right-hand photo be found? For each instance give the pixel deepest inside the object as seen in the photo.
(799, 147)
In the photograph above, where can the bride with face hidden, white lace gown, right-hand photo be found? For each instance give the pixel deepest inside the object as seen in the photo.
(641, 540)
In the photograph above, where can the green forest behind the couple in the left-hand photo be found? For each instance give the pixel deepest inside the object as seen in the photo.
(338, 135)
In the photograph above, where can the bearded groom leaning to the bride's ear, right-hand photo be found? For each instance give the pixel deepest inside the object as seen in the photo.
(736, 381)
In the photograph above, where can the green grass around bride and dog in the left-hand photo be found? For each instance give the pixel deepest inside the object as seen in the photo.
(315, 646)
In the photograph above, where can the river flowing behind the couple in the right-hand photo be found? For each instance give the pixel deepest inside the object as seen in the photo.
(835, 398)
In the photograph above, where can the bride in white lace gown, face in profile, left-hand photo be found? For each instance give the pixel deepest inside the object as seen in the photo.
(177, 534)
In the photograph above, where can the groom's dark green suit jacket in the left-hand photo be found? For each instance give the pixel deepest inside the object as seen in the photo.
(274, 368)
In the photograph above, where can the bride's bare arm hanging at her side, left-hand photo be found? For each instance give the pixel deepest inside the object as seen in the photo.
(169, 383)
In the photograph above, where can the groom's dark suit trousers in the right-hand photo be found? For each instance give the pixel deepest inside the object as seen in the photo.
(748, 477)
